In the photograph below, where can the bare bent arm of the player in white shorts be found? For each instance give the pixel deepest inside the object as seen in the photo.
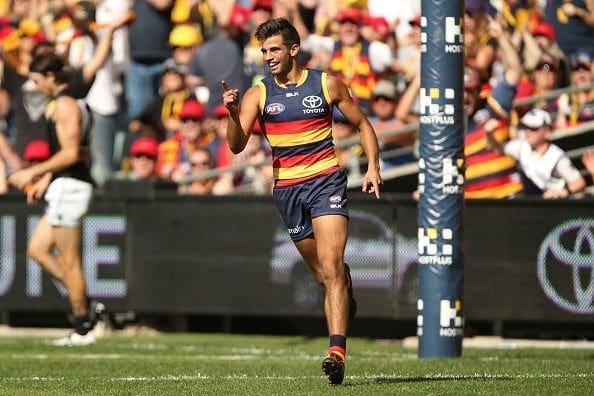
(67, 117)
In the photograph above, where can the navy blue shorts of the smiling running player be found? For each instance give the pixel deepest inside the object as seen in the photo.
(324, 195)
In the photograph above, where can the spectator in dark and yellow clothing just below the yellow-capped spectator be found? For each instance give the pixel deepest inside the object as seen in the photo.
(162, 112)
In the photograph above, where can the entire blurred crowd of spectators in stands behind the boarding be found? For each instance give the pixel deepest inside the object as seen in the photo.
(151, 71)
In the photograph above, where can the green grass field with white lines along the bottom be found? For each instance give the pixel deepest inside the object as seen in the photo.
(215, 364)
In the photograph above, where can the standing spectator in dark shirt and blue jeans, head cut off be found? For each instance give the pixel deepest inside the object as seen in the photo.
(148, 38)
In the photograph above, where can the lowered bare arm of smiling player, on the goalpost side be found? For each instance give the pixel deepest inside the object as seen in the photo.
(341, 97)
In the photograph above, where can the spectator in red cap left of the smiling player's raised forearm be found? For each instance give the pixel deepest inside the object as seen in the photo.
(174, 153)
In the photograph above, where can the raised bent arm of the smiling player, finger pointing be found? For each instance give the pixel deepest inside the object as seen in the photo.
(241, 121)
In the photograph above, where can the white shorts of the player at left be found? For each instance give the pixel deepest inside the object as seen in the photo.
(68, 200)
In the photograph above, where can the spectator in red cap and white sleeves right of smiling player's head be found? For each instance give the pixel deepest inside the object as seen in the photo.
(355, 61)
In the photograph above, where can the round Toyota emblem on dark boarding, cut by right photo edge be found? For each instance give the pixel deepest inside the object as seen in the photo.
(571, 247)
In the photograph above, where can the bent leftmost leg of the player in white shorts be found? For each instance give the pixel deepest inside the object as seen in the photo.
(40, 248)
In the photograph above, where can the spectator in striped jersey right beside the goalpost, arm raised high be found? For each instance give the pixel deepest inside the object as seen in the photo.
(490, 174)
